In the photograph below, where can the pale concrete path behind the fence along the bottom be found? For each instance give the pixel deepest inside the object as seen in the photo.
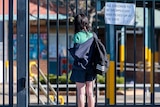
(100, 99)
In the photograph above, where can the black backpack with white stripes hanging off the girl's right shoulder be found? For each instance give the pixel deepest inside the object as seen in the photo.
(100, 60)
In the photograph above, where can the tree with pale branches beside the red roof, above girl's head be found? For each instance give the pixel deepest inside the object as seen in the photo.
(72, 9)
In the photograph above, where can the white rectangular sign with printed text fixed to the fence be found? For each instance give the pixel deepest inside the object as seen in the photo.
(119, 13)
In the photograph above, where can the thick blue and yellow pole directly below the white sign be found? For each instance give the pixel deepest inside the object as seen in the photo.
(111, 72)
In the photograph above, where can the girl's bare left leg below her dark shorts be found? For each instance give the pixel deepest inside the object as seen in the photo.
(81, 93)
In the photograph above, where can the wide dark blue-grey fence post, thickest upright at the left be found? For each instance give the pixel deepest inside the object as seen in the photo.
(22, 53)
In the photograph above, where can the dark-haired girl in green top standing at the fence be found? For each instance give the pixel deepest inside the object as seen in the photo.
(82, 52)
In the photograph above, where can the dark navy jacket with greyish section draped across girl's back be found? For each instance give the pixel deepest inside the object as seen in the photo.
(82, 54)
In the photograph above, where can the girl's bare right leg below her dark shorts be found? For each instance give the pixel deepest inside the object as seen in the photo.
(90, 93)
